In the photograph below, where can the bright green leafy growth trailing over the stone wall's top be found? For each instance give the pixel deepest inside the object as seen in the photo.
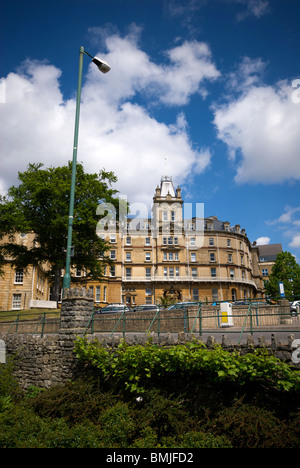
(136, 366)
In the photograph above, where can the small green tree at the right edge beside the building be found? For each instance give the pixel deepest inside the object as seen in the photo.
(286, 270)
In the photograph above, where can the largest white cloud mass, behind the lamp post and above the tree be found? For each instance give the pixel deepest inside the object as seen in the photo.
(117, 131)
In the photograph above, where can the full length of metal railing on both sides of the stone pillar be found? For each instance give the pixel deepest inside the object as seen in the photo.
(202, 319)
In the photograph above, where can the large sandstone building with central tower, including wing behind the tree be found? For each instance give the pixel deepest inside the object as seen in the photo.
(168, 254)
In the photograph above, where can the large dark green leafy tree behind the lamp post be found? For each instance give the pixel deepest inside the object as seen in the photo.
(40, 205)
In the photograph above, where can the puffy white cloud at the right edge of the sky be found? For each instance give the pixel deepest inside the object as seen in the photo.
(261, 126)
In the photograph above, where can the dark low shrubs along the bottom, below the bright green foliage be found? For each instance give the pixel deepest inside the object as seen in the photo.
(157, 421)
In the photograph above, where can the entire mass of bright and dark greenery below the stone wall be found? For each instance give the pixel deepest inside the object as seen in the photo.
(188, 399)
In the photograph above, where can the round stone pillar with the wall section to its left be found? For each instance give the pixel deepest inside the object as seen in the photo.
(50, 360)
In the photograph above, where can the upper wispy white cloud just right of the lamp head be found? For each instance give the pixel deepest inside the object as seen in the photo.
(172, 82)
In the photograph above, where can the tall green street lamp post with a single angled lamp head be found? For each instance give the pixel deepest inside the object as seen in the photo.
(104, 68)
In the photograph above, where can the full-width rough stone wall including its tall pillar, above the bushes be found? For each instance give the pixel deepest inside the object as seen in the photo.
(50, 360)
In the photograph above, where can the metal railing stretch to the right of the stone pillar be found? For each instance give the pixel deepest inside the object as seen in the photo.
(201, 319)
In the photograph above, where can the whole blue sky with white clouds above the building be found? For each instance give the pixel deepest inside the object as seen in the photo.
(204, 90)
